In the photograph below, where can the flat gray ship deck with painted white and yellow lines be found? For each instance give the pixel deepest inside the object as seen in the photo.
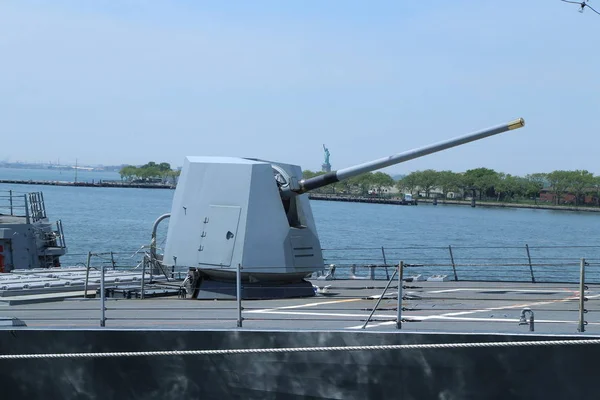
(431, 307)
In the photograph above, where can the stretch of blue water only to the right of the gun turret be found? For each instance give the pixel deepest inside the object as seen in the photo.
(487, 243)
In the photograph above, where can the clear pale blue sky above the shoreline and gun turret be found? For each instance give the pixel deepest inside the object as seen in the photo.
(131, 81)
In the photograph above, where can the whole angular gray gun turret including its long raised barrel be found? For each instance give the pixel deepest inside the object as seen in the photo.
(228, 213)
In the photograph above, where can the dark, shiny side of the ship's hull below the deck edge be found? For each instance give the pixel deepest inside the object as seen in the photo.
(541, 372)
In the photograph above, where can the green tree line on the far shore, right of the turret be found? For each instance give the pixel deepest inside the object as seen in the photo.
(484, 183)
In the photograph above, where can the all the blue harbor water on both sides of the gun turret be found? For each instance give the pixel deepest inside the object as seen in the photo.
(487, 243)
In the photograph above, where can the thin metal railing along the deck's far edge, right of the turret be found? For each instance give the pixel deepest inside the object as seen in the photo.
(542, 264)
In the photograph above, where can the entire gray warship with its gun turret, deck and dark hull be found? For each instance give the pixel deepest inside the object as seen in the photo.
(243, 233)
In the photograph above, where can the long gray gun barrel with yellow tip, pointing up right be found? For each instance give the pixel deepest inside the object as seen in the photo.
(309, 184)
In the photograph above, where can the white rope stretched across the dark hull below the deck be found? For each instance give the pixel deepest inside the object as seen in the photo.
(575, 342)
